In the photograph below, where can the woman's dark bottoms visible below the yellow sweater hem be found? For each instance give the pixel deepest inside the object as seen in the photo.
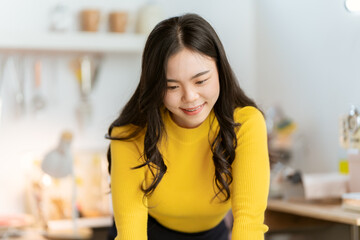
(158, 232)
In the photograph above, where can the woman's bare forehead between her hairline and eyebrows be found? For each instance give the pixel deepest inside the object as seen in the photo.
(186, 63)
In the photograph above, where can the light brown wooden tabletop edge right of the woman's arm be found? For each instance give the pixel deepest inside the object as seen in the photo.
(332, 212)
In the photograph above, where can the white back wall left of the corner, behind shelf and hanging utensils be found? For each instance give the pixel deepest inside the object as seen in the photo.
(34, 136)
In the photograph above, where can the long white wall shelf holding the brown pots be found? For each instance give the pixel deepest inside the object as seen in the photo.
(73, 42)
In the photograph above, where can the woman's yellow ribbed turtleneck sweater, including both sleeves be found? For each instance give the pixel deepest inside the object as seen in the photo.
(183, 199)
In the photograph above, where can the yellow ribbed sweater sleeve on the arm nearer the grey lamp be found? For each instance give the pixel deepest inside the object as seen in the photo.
(130, 211)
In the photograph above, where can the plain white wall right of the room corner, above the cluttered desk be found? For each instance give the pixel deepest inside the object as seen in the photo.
(308, 63)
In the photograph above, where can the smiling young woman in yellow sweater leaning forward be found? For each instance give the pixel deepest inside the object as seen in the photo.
(189, 145)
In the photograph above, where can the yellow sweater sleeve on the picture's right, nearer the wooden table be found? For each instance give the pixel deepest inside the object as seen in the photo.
(251, 173)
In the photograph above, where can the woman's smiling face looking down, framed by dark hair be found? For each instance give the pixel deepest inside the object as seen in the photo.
(192, 87)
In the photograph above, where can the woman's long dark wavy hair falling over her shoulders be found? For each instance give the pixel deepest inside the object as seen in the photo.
(143, 110)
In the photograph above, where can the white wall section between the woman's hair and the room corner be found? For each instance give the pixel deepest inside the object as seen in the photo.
(234, 22)
